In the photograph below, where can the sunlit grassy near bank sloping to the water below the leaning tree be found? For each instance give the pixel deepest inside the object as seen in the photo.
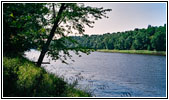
(22, 78)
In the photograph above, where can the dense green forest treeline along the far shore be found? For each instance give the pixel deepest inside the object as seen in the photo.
(151, 38)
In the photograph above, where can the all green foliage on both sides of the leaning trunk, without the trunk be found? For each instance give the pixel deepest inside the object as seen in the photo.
(28, 25)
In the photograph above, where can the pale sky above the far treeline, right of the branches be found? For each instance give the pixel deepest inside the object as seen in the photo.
(128, 16)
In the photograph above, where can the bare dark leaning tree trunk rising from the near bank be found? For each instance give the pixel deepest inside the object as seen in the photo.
(46, 45)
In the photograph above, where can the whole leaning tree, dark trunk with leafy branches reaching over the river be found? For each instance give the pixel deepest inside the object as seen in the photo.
(72, 18)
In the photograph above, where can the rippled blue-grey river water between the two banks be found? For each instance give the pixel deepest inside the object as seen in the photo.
(113, 74)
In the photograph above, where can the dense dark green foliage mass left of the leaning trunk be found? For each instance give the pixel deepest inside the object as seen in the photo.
(23, 26)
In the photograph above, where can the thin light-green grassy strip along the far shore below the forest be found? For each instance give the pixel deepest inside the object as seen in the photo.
(162, 53)
